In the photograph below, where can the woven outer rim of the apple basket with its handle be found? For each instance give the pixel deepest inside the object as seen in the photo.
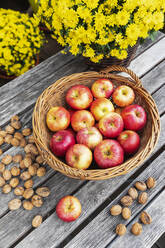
(86, 174)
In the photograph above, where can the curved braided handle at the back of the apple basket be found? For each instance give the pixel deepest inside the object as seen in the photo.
(135, 78)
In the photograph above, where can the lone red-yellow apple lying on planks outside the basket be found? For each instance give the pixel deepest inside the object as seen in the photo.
(68, 208)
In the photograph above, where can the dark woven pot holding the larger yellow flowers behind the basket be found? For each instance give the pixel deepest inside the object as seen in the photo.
(113, 60)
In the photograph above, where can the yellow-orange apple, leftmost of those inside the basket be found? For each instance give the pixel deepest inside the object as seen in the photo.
(58, 118)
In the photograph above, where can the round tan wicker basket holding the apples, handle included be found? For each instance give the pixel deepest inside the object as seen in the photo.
(55, 95)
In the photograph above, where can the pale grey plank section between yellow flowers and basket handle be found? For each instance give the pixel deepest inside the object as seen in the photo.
(147, 60)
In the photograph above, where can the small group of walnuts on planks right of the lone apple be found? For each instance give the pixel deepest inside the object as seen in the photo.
(127, 200)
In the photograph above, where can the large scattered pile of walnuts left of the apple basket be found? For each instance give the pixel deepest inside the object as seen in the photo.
(19, 176)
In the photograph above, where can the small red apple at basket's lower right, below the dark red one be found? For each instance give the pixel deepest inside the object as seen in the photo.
(129, 140)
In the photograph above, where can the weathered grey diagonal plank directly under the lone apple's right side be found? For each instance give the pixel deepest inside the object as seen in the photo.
(91, 195)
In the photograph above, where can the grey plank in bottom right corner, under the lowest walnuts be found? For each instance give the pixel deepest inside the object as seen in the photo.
(150, 232)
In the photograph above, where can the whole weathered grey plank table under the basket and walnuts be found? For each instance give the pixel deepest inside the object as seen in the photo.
(95, 227)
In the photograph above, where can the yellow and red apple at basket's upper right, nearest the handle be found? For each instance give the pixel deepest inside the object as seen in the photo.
(123, 95)
